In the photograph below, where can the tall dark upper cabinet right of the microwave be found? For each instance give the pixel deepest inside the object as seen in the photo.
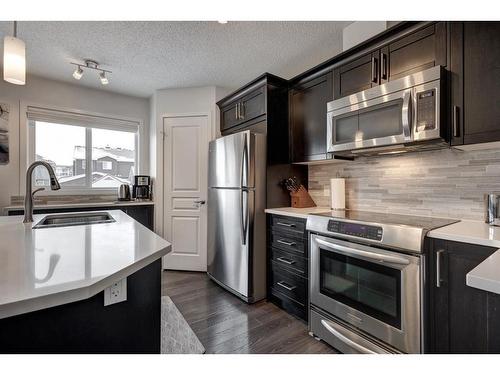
(475, 82)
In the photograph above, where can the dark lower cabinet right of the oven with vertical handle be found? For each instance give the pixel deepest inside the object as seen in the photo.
(462, 319)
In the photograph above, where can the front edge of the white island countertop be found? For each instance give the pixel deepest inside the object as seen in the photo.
(78, 294)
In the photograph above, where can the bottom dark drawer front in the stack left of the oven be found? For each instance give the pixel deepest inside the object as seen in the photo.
(289, 284)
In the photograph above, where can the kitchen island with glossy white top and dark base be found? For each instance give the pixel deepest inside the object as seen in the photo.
(52, 284)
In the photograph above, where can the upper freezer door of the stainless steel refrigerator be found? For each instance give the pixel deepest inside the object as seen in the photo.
(231, 161)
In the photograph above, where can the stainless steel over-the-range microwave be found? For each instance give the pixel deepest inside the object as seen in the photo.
(398, 116)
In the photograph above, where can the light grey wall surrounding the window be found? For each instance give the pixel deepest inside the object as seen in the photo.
(58, 94)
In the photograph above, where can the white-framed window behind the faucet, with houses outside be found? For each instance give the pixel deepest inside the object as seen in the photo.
(85, 154)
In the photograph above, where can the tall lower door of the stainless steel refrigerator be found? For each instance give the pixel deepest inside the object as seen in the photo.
(230, 227)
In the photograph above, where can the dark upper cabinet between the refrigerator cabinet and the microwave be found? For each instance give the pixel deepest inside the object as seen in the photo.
(307, 115)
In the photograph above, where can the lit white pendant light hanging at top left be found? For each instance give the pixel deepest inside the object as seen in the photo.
(14, 59)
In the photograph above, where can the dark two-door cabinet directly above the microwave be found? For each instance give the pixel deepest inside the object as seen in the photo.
(420, 50)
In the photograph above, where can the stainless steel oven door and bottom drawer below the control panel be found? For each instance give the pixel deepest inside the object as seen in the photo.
(377, 291)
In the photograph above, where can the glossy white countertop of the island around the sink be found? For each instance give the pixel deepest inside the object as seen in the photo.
(46, 267)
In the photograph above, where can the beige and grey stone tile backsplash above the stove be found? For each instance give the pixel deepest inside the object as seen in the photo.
(445, 183)
